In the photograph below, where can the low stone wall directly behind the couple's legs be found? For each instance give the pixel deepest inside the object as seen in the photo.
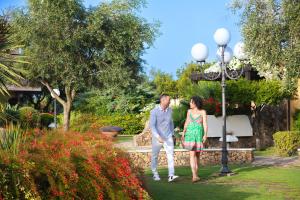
(142, 158)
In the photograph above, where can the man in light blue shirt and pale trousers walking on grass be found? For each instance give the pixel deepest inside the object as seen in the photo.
(162, 128)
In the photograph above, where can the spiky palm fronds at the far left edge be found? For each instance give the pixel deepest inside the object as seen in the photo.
(8, 73)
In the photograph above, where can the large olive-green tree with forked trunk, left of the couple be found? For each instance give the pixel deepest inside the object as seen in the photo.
(75, 48)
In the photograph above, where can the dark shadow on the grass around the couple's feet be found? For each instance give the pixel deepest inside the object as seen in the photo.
(183, 188)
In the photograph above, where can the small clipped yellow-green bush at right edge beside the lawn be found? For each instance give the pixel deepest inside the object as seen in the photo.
(286, 143)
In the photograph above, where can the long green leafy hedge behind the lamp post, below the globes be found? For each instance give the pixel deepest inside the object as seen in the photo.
(239, 93)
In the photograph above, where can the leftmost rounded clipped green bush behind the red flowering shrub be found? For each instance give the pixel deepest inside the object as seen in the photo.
(29, 117)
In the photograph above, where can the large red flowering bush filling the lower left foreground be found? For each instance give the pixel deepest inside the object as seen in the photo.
(70, 165)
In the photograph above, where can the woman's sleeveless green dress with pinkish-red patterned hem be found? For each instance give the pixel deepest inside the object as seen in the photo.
(193, 138)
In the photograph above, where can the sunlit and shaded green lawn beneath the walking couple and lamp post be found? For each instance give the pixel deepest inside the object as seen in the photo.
(249, 183)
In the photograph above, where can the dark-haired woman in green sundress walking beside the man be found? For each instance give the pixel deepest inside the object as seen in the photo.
(195, 133)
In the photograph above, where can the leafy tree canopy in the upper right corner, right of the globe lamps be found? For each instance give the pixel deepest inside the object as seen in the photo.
(272, 39)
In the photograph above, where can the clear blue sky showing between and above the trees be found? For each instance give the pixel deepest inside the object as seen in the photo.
(183, 23)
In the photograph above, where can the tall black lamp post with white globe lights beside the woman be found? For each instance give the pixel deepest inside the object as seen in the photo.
(224, 54)
